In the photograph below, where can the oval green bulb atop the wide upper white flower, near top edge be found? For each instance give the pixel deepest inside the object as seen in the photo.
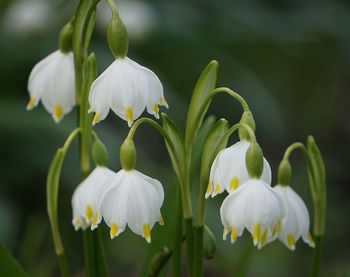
(117, 37)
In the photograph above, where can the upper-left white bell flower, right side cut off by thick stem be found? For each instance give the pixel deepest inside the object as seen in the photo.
(52, 81)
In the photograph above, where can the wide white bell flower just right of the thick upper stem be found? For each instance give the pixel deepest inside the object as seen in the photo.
(127, 88)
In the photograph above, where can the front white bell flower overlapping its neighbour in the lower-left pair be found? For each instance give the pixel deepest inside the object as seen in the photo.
(134, 199)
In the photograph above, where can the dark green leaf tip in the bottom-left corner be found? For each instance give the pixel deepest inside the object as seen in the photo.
(9, 266)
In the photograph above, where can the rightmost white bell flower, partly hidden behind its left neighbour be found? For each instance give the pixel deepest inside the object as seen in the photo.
(297, 220)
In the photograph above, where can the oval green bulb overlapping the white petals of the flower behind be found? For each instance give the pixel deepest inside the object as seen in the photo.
(254, 160)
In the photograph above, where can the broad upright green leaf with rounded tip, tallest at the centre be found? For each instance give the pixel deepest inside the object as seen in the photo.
(200, 101)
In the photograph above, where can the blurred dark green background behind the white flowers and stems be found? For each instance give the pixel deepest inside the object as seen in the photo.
(289, 59)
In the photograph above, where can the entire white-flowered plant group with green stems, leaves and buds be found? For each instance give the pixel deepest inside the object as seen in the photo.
(129, 198)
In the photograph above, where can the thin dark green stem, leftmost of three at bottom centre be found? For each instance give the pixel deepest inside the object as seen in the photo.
(177, 242)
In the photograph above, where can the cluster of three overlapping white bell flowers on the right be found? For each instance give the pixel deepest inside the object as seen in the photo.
(266, 212)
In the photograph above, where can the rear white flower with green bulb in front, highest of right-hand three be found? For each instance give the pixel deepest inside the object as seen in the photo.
(229, 169)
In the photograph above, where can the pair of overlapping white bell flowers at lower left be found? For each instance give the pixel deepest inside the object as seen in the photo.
(124, 198)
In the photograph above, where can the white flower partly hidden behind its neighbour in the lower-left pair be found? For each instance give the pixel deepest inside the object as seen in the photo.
(86, 200)
